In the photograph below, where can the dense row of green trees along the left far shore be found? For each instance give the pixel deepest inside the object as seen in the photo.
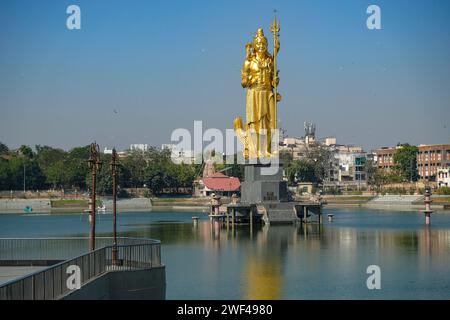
(49, 167)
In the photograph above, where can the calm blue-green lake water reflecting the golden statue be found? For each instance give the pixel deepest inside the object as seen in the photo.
(279, 262)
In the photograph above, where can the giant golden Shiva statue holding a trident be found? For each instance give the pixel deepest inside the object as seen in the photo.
(260, 77)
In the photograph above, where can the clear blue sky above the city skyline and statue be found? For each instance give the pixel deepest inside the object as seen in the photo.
(137, 70)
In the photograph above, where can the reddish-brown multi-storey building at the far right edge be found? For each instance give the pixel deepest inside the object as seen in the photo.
(430, 158)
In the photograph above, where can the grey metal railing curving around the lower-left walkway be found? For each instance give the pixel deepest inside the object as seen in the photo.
(52, 282)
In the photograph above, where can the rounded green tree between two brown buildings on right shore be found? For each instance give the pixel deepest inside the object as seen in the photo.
(405, 159)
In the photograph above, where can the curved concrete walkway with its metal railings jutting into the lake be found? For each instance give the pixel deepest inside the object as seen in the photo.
(131, 269)
